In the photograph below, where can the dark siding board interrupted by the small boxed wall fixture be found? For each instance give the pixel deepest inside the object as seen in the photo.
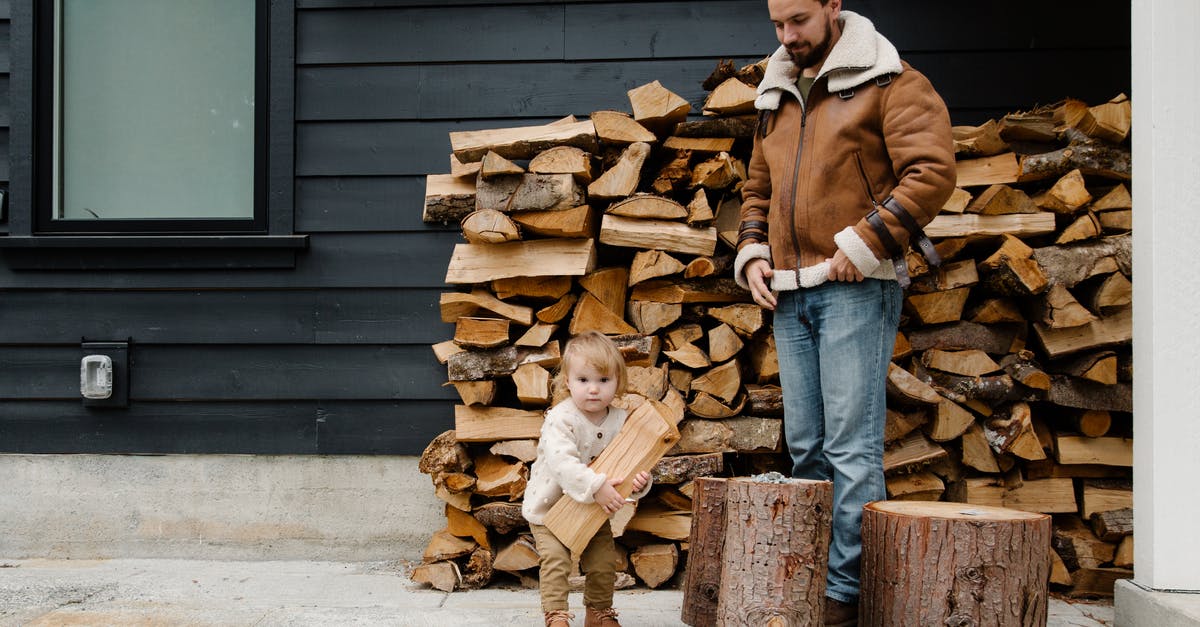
(213, 373)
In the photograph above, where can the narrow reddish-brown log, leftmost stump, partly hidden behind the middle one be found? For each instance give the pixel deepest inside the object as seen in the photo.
(706, 553)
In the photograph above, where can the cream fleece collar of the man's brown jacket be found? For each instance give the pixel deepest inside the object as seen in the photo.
(861, 55)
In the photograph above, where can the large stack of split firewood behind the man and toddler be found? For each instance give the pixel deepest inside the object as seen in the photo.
(1011, 381)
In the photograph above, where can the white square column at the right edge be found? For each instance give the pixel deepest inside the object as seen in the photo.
(1167, 294)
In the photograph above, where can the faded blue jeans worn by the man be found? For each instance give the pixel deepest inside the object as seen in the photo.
(835, 345)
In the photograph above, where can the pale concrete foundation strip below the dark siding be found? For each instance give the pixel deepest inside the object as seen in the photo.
(217, 507)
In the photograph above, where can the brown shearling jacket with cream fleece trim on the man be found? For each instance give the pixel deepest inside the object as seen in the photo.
(872, 128)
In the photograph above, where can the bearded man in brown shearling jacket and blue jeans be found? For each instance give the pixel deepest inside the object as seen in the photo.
(853, 157)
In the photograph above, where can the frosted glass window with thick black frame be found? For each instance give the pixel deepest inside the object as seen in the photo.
(149, 124)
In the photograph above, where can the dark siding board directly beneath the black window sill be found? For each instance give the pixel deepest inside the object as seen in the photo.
(333, 260)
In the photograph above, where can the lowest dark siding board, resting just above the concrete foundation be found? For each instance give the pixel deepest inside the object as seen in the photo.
(325, 428)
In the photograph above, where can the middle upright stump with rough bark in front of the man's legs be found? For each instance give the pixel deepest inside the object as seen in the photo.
(776, 554)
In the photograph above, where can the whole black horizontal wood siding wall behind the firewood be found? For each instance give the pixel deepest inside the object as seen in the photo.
(334, 357)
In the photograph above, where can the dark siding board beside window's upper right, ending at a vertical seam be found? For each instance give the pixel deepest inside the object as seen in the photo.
(430, 35)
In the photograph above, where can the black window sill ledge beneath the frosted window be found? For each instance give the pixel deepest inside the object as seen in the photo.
(115, 253)
